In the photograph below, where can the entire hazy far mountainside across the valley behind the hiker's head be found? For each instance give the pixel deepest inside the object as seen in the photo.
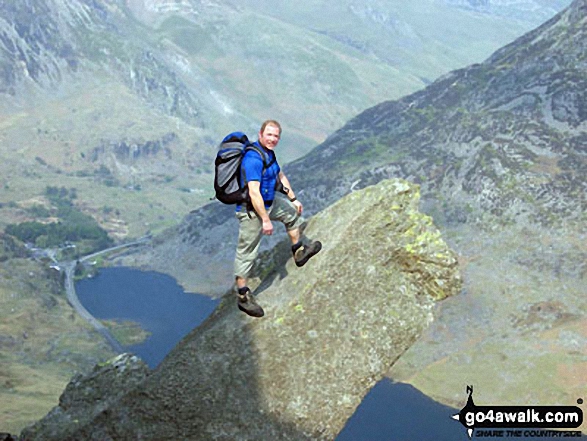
(84, 81)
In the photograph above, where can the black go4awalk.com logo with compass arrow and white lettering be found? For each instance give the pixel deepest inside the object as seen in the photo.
(510, 419)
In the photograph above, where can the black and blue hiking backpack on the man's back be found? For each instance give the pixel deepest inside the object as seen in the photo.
(228, 168)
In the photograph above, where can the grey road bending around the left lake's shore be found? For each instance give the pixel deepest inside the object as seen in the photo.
(69, 269)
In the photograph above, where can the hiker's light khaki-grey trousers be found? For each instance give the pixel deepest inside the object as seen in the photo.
(250, 232)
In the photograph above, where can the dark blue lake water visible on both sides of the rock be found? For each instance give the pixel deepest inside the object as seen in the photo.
(389, 412)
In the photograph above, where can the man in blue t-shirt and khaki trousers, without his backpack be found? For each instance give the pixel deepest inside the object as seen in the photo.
(261, 176)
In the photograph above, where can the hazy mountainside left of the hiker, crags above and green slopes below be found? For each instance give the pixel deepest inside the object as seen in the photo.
(82, 85)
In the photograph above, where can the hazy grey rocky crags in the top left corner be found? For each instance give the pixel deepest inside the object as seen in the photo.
(49, 43)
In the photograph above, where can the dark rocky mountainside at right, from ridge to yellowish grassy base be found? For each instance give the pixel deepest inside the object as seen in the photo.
(499, 150)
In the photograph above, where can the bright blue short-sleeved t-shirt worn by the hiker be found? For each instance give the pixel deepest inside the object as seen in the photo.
(252, 168)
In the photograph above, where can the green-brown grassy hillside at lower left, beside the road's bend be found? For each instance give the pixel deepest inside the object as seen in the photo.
(44, 343)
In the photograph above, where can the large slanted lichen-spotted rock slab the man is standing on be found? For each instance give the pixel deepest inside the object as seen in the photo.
(332, 329)
